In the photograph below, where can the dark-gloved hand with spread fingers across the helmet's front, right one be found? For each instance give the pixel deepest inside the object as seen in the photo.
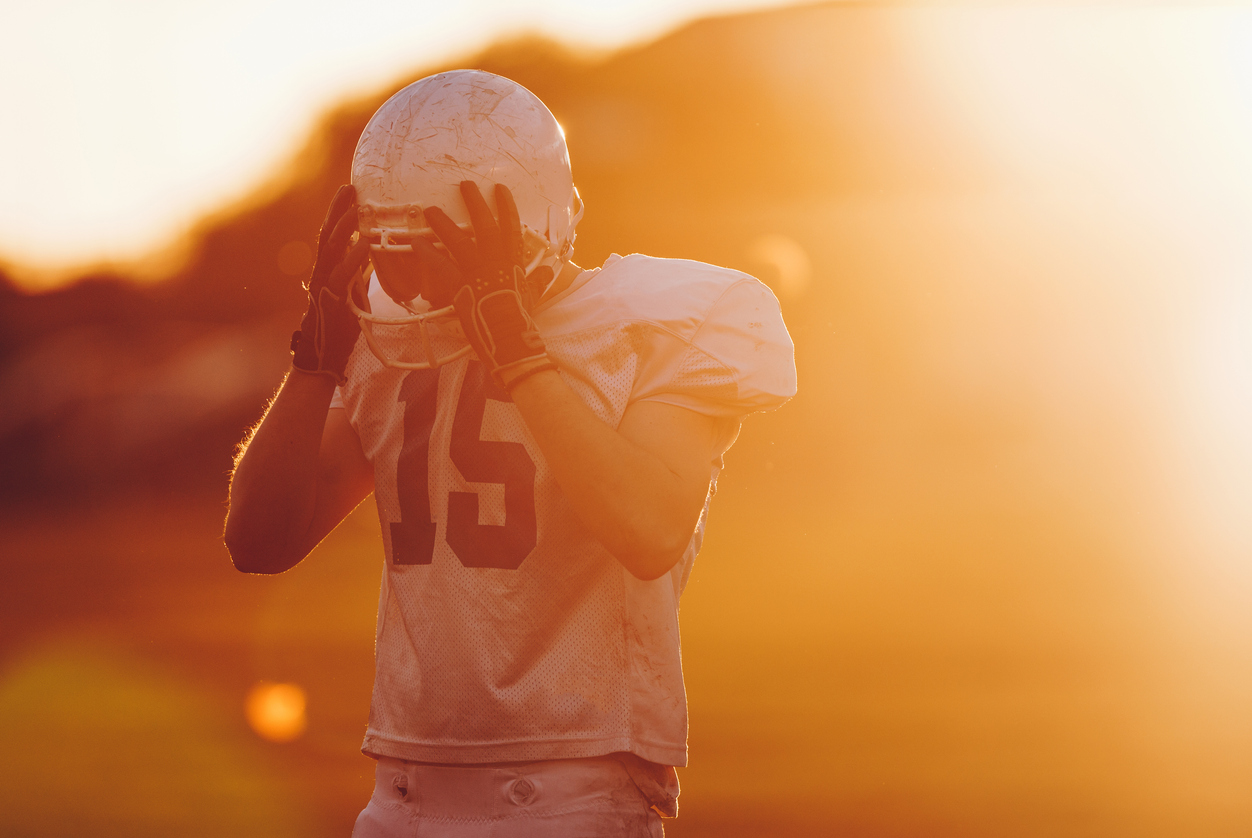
(491, 292)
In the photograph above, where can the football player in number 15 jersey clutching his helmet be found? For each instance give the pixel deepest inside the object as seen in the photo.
(543, 443)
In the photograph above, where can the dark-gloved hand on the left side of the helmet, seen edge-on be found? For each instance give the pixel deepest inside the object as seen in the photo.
(330, 329)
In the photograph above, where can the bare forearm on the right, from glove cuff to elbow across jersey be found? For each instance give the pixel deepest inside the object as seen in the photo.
(628, 499)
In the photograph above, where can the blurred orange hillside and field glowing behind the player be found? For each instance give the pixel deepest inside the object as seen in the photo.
(988, 574)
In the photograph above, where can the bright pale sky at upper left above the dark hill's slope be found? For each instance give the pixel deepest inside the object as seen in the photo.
(125, 122)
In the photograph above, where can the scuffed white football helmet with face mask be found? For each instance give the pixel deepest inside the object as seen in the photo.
(415, 153)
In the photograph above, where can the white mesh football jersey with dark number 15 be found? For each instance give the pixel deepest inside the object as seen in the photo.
(505, 631)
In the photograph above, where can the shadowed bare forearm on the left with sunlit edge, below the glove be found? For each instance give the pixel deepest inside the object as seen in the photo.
(274, 489)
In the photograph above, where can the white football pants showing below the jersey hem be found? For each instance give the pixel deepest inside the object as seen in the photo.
(562, 799)
